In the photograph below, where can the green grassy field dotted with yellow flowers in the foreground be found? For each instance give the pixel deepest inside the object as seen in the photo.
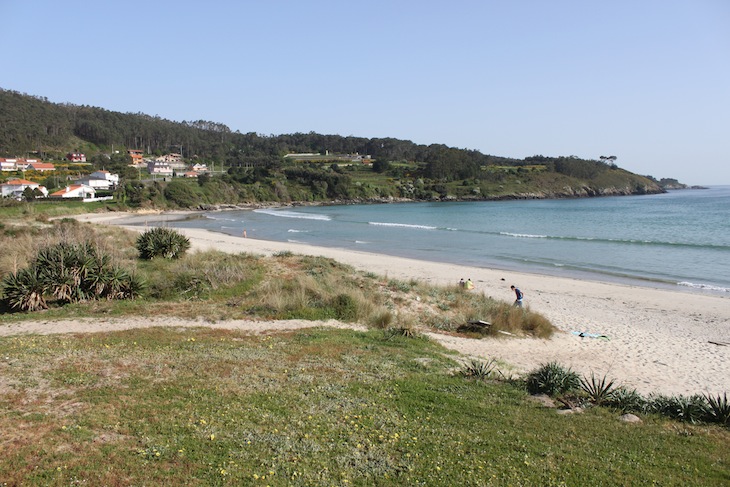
(317, 407)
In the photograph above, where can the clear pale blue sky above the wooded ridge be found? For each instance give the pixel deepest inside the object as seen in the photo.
(645, 80)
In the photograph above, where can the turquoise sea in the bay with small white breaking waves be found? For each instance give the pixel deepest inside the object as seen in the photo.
(679, 239)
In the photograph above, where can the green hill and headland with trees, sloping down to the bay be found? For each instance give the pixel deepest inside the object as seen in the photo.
(34, 126)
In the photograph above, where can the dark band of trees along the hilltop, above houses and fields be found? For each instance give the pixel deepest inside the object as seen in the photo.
(34, 124)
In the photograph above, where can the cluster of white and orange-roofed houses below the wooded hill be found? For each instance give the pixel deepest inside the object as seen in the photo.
(24, 177)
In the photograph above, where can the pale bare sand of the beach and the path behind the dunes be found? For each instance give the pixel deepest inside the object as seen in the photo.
(659, 341)
